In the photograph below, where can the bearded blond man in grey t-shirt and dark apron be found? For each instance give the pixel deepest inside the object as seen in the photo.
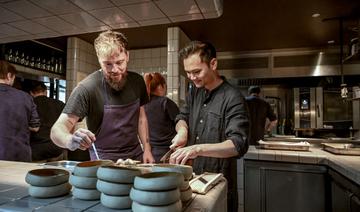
(112, 100)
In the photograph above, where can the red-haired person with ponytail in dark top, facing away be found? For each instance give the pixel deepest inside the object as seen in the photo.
(161, 112)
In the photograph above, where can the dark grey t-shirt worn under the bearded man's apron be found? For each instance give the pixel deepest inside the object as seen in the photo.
(88, 99)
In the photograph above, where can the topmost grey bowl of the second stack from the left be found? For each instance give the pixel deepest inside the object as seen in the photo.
(89, 168)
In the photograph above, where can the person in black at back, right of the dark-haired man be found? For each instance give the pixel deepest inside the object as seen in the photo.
(259, 111)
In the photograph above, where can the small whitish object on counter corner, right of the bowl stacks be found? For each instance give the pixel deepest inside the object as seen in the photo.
(204, 182)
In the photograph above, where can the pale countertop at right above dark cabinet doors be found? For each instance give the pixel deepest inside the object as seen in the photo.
(349, 166)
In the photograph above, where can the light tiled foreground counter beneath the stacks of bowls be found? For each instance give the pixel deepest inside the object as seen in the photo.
(14, 195)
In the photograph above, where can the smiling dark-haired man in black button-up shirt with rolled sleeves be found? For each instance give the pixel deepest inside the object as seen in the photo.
(213, 125)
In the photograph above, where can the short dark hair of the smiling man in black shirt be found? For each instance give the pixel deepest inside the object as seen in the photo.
(205, 49)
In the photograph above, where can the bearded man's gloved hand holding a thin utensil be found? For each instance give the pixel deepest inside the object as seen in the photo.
(81, 139)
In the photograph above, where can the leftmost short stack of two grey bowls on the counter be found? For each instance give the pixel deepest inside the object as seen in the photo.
(47, 183)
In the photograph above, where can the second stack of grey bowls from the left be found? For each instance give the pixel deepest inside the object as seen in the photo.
(84, 179)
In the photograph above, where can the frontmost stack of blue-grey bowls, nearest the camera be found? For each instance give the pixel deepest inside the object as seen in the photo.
(157, 192)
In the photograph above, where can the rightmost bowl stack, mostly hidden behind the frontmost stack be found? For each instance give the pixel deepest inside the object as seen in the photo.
(187, 171)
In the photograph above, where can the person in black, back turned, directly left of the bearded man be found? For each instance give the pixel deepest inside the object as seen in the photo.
(43, 149)
